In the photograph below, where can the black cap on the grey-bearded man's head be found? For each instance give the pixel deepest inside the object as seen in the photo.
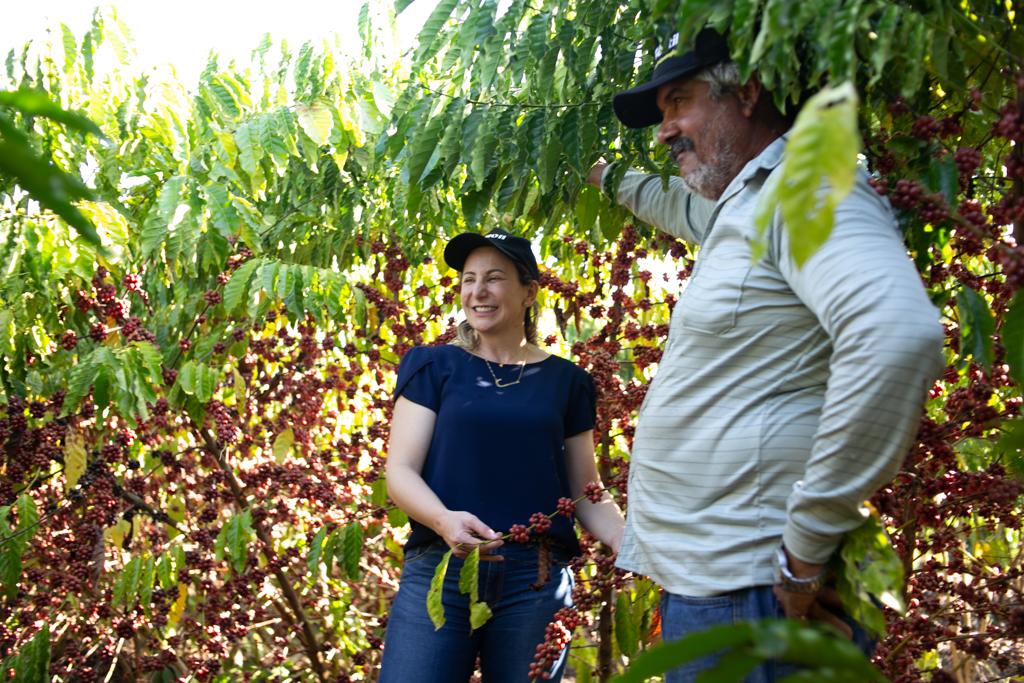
(637, 108)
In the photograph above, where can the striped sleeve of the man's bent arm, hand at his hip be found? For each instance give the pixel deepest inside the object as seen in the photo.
(887, 343)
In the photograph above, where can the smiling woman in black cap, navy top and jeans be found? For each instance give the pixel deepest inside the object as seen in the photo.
(486, 433)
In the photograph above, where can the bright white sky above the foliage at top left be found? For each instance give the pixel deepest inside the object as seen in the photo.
(183, 33)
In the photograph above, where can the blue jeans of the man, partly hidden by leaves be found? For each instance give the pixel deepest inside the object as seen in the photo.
(684, 615)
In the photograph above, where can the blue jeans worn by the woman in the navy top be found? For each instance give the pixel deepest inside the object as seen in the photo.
(505, 646)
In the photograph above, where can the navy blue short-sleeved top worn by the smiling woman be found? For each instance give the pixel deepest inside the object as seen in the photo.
(498, 453)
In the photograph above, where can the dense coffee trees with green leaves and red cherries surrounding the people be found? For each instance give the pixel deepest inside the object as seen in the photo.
(196, 394)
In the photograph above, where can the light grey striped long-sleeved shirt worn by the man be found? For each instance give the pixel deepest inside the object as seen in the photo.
(786, 397)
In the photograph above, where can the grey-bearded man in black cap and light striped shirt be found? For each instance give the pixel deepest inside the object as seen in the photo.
(786, 396)
